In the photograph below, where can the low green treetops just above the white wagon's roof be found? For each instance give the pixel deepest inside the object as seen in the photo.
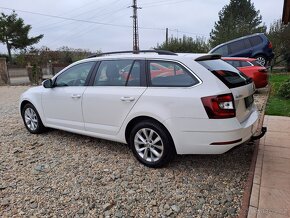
(186, 44)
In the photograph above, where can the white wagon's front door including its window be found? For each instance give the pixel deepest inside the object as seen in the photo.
(62, 104)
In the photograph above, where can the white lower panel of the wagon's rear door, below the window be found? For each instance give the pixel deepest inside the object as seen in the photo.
(100, 104)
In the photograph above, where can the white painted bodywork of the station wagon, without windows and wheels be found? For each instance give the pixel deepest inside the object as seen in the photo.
(100, 112)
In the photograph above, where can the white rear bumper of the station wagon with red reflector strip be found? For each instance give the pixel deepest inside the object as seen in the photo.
(205, 136)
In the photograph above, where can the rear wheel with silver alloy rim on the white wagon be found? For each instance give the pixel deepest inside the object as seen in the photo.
(151, 144)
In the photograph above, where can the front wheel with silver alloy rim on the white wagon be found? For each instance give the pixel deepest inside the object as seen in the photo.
(32, 119)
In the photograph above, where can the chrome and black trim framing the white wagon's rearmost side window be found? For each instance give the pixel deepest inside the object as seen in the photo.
(192, 74)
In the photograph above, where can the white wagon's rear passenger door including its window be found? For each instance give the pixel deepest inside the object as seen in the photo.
(112, 95)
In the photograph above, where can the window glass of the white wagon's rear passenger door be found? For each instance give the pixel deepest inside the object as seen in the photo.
(118, 73)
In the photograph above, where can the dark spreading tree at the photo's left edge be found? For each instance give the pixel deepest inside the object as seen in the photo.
(14, 33)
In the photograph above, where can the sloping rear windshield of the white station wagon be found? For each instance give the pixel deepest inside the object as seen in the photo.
(229, 75)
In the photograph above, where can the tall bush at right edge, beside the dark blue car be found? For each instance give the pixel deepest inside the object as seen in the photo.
(279, 35)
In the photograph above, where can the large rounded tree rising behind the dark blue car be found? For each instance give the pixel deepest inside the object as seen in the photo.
(238, 18)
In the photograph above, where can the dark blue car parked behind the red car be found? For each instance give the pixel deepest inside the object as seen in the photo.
(254, 46)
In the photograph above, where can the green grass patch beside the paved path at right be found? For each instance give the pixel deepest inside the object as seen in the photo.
(277, 105)
